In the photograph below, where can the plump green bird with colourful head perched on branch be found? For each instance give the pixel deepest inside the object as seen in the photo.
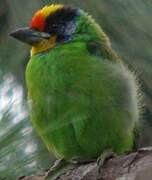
(82, 99)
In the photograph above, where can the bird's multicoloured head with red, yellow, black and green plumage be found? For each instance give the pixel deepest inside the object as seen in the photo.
(58, 24)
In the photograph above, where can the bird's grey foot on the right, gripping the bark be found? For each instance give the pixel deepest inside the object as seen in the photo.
(106, 155)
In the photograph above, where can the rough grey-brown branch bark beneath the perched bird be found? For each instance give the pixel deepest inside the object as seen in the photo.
(130, 166)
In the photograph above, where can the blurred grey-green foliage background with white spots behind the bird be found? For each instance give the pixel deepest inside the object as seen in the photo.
(127, 23)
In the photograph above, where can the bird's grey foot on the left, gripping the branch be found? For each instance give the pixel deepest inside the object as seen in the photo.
(59, 167)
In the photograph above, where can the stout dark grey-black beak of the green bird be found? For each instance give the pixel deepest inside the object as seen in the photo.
(29, 36)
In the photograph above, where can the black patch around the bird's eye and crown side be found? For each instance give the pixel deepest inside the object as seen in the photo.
(57, 23)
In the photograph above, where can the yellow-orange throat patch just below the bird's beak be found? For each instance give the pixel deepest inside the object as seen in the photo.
(43, 46)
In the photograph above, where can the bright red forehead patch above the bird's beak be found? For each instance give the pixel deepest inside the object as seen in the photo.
(38, 22)
